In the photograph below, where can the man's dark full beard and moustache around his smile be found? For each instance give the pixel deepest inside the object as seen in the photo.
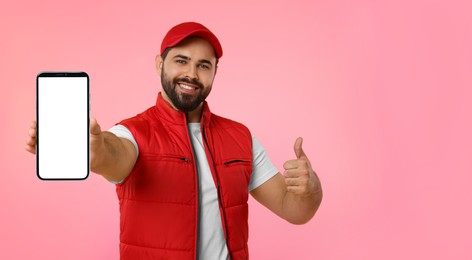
(182, 101)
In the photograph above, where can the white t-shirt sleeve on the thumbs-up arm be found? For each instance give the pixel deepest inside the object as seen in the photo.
(262, 167)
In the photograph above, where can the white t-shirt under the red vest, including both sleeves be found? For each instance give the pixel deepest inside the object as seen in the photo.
(212, 244)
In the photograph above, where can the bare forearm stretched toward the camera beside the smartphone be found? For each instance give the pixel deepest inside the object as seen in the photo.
(112, 158)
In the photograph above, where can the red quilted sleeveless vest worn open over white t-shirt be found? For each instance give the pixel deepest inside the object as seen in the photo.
(159, 199)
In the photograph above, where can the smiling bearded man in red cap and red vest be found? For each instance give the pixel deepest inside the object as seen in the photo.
(183, 174)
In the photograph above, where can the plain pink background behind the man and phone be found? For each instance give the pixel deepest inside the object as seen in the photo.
(380, 91)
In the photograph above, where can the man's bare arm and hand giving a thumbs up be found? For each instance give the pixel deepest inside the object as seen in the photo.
(296, 195)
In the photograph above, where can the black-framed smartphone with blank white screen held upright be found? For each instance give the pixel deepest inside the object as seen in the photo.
(62, 116)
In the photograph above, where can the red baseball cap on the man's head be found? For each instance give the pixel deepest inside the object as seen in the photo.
(184, 30)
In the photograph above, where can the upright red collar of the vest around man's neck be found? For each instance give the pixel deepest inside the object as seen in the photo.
(168, 113)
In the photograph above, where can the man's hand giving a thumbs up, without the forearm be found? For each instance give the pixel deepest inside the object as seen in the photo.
(299, 176)
